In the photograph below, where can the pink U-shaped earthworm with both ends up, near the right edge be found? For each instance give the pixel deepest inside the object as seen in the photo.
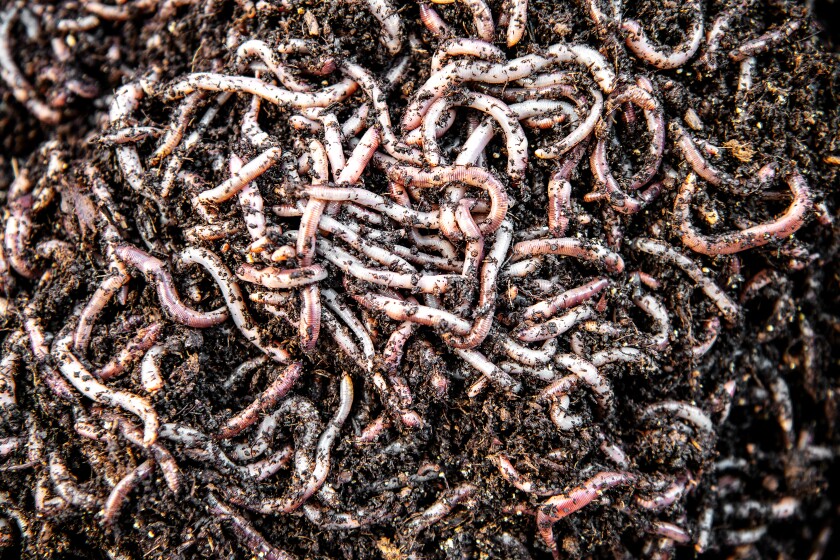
(756, 236)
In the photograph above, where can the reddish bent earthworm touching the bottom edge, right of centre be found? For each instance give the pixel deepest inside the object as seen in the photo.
(557, 507)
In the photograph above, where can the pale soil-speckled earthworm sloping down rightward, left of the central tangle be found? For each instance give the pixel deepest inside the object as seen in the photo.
(234, 299)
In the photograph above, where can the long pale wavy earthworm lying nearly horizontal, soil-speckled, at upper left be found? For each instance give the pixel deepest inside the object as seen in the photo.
(209, 81)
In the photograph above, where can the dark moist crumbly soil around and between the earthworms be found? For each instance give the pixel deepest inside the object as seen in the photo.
(790, 117)
